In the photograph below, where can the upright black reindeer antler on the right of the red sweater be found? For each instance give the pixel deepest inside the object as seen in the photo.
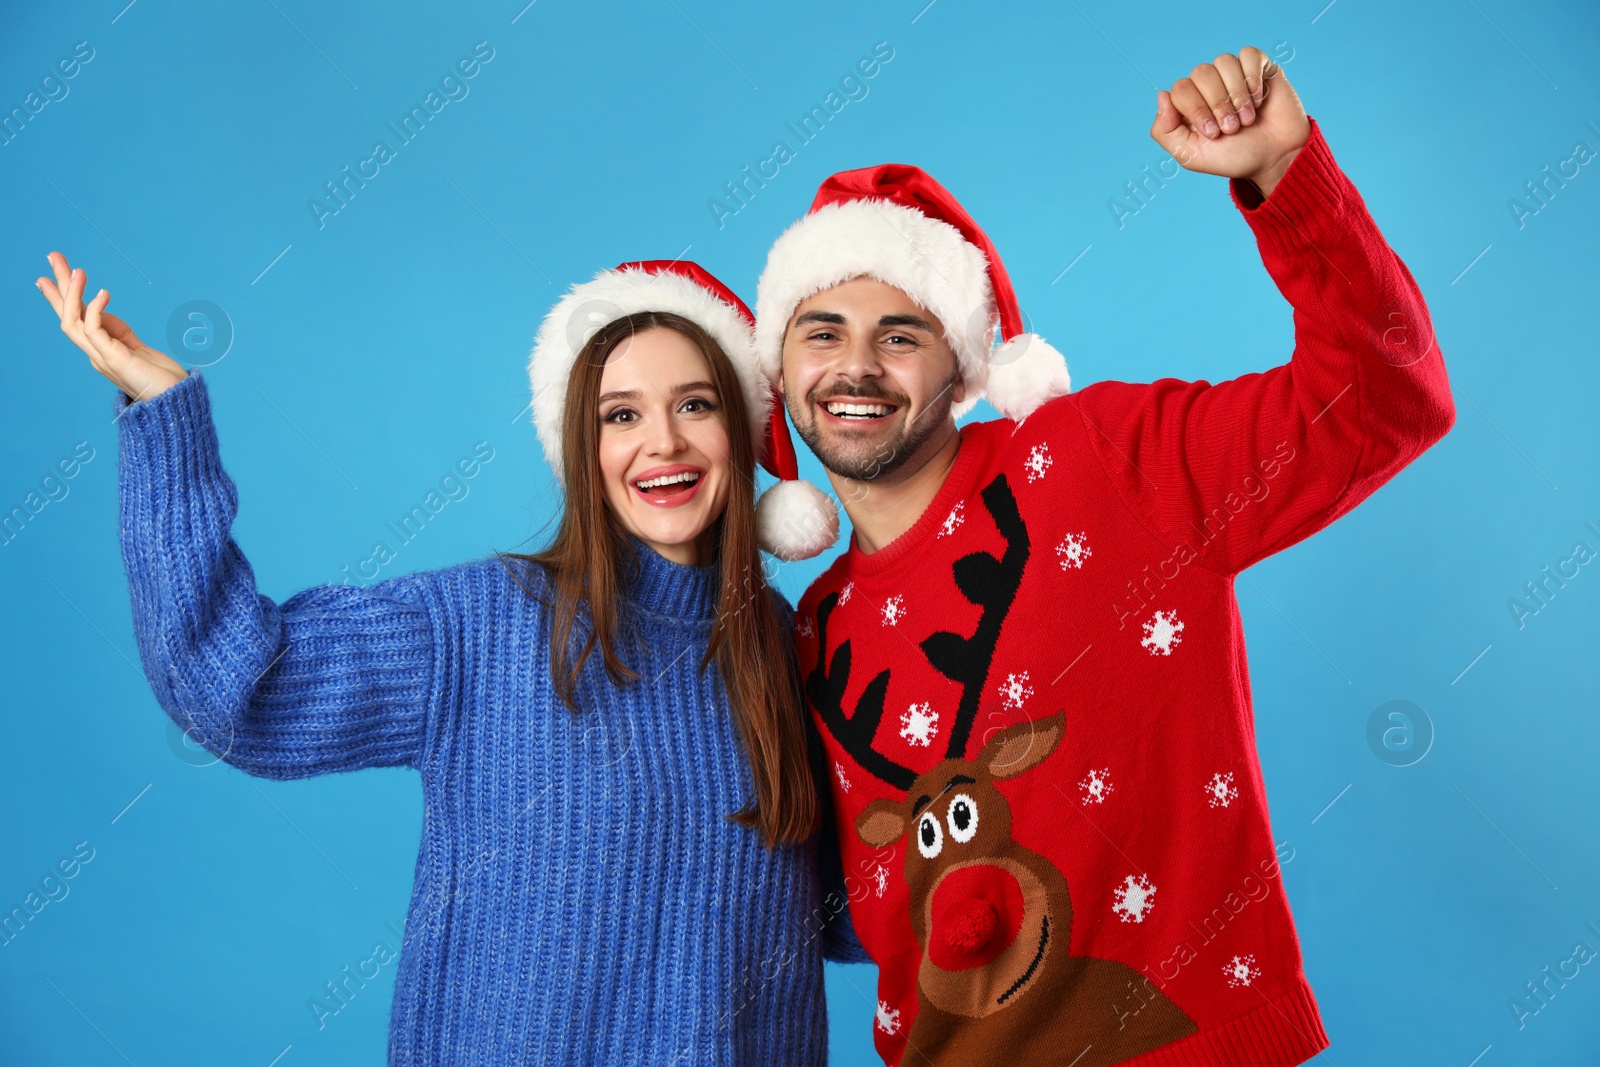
(991, 585)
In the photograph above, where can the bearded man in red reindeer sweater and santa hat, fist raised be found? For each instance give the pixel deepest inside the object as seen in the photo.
(1028, 668)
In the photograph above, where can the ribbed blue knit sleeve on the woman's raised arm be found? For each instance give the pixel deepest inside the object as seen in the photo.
(335, 679)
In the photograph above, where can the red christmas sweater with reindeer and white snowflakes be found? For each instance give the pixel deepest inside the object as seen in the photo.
(1038, 706)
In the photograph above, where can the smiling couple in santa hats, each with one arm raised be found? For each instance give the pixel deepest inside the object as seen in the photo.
(1017, 706)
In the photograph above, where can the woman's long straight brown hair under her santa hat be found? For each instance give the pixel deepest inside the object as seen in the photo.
(588, 561)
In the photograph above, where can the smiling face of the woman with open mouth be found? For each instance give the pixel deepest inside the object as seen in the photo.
(665, 444)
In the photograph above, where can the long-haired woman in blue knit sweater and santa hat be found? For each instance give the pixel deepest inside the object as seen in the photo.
(633, 881)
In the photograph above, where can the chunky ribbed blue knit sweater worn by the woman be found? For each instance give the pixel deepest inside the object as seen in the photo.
(580, 895)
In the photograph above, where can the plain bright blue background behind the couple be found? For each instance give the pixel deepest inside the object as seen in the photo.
(372, 353)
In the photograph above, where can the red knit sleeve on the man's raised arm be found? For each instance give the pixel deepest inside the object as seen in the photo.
(1250, 466)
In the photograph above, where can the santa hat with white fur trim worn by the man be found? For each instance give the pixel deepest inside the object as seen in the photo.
(900, 226)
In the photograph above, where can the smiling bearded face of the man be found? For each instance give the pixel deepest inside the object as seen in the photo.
(870, 380)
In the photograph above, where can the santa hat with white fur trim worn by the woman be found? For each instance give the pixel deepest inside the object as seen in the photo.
(794, 519)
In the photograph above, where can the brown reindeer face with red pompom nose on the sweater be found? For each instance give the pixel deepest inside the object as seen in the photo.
(985, 909)
